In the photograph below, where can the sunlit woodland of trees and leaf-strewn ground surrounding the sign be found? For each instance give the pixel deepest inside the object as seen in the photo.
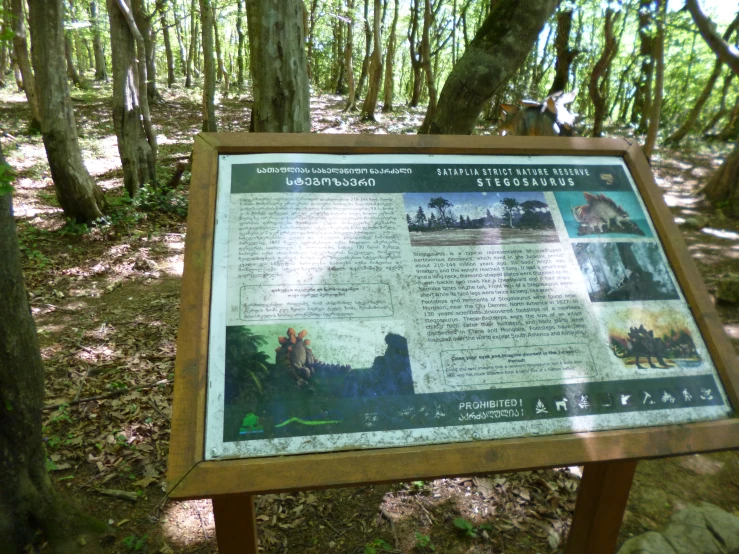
(98, 149)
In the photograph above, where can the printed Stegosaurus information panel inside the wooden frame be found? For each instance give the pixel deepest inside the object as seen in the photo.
(365, 301)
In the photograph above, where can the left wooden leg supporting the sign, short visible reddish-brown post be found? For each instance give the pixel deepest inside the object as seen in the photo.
(236, 524)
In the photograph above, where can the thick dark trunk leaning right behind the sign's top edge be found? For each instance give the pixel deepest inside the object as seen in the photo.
(502, 43)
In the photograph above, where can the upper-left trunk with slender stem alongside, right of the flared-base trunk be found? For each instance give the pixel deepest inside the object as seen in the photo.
(138, 155)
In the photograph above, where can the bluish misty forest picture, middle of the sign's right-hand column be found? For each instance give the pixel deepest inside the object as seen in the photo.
(624, 271)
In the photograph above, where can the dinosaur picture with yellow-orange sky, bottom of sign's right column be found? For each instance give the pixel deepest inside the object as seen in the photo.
(651, 339)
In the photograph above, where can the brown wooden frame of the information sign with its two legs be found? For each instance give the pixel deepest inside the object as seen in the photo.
(609, 456)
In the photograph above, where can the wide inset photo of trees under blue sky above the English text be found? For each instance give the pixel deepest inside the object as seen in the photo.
(470, 218)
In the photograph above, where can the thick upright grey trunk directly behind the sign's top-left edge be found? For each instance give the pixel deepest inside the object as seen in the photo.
(279, 67)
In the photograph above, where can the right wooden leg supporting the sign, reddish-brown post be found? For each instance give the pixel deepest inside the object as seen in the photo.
(601, 502)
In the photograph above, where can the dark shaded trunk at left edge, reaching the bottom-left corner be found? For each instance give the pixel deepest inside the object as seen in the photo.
(27, 498)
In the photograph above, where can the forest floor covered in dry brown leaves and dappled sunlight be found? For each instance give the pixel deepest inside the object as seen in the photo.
(106, 303)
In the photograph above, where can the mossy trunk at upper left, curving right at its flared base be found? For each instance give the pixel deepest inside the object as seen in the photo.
(80, 198)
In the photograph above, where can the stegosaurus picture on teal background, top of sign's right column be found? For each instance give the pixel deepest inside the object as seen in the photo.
(611, 214)
